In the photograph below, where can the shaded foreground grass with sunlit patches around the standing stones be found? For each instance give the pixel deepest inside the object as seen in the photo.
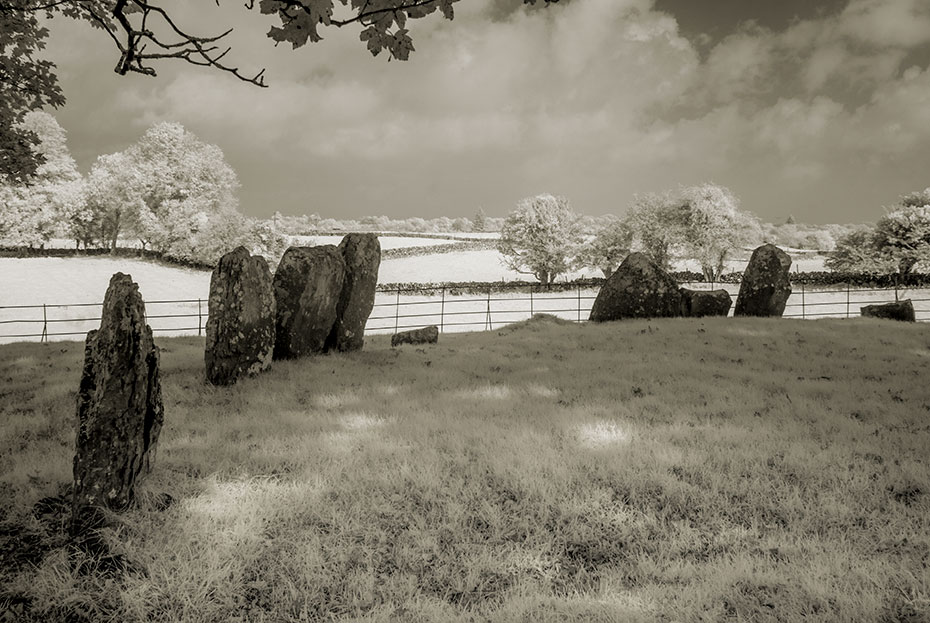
(679, 470)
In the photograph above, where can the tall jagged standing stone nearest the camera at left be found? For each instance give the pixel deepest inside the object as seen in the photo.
(119, 405)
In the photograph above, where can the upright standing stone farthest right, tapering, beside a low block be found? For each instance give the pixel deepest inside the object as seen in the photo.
(765, 288)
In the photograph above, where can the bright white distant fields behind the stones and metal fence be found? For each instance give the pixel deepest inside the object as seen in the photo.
(83, 280)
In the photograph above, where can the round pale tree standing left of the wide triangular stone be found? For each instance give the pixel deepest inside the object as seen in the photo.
(540, 237)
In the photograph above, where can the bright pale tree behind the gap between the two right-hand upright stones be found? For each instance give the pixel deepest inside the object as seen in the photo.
(713, 226)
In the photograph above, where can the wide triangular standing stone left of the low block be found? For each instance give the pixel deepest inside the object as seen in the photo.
(639, 288)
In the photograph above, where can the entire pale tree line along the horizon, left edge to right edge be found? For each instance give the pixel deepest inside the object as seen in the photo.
(177, 196)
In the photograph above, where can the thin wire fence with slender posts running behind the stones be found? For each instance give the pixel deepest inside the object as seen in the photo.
(447, 308)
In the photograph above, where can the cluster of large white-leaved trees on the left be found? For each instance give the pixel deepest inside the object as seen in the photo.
(170, 191)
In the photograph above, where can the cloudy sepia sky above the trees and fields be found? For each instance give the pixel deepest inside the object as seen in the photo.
(820, 110)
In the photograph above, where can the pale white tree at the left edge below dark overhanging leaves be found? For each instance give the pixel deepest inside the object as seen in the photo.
(31, 213)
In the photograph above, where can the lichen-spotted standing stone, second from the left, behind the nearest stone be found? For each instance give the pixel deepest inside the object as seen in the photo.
(240, 327)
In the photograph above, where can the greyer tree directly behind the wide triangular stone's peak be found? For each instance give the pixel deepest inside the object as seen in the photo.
(657, 222)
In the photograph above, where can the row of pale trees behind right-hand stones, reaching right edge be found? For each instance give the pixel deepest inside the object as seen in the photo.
(545, 238)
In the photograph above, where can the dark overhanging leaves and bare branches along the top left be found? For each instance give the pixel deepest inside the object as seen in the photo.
(147, 32)
